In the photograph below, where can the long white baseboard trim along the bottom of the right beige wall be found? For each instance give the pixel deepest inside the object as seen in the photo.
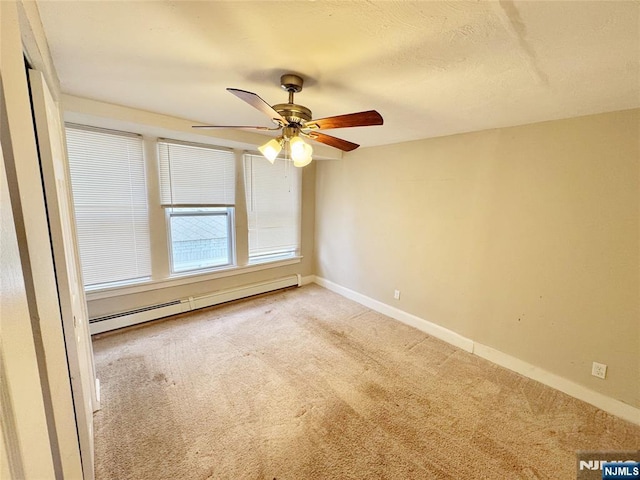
(599, 400)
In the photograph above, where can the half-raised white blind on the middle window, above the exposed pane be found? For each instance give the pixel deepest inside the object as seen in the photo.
(194, 175)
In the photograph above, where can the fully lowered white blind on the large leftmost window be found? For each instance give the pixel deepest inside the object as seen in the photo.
(110, 201)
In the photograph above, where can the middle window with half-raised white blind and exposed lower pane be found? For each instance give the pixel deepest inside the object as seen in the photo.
(197, 185)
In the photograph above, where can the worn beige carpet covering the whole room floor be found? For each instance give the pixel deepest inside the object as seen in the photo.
(305, 384)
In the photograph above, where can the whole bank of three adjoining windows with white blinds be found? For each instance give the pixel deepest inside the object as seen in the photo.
(143, 217)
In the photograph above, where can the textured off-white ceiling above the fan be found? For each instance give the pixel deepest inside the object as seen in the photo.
(430, 68)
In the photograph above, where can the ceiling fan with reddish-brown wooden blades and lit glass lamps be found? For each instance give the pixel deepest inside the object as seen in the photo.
(296, 122)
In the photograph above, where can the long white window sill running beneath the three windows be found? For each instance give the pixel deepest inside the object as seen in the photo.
(187, 278)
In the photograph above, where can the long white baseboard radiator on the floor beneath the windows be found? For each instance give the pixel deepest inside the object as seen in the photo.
(154, 312)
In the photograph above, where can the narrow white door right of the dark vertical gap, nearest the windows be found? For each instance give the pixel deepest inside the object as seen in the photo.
(68, 274)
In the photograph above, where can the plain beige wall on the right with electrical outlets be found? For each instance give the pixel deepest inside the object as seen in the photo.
(524, 239)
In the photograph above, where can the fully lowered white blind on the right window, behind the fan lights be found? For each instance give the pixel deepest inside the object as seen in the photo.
(273, 207)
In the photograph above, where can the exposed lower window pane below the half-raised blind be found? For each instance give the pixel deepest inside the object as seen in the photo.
(199, 240)
